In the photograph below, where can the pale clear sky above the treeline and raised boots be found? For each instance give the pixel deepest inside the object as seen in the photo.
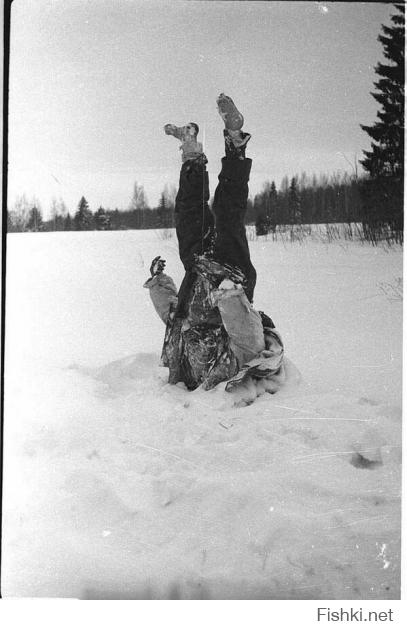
(92, 82)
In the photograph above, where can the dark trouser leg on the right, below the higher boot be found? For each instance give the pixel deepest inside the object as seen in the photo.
(229, 208)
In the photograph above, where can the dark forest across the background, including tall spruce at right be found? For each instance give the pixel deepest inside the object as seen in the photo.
(374, 200)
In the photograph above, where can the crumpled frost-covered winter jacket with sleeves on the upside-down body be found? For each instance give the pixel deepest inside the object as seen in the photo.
(222, 338)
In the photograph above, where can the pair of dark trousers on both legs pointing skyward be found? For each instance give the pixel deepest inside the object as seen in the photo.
(197, 228)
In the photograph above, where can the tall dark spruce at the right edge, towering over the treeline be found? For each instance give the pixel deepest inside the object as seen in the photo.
(382, 191)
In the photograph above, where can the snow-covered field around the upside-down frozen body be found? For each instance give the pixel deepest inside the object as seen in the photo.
(118, 485)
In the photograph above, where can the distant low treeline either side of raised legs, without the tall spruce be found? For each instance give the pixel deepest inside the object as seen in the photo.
(303, 199)
